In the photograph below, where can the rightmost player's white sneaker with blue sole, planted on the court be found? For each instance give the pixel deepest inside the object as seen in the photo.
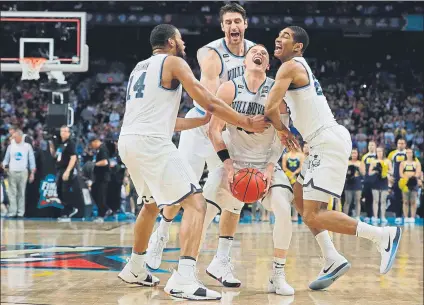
(332, 270)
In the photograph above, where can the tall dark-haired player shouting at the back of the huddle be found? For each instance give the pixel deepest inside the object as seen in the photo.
(220, 61)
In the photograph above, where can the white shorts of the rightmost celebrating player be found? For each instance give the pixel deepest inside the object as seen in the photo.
(324, 171)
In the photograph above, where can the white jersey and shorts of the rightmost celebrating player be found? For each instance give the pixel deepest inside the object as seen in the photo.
(324, 170)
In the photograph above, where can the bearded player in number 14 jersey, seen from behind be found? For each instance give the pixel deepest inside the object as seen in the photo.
(153, 161)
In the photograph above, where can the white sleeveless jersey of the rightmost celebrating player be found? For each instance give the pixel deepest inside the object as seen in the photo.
(308, 106)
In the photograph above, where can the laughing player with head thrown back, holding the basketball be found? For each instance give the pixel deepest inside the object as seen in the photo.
(239, 149)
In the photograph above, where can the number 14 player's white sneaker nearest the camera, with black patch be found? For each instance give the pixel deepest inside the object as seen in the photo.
(189, 288)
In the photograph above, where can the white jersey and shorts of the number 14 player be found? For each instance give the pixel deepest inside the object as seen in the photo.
(145, 143)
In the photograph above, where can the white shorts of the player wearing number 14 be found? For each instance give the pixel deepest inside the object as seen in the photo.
(157, 169)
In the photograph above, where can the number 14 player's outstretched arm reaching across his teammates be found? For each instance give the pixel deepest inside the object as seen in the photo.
(182, 72)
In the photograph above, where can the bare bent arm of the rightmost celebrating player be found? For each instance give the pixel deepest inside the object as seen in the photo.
(278, 91)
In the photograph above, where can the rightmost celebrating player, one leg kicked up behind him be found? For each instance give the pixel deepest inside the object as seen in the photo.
(330, 146)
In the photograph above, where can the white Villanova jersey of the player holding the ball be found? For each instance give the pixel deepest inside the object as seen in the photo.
(246, 146)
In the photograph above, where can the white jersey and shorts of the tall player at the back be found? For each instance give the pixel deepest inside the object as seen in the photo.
(194, 144)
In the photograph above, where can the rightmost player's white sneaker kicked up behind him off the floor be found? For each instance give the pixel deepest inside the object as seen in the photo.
(388, 247)
